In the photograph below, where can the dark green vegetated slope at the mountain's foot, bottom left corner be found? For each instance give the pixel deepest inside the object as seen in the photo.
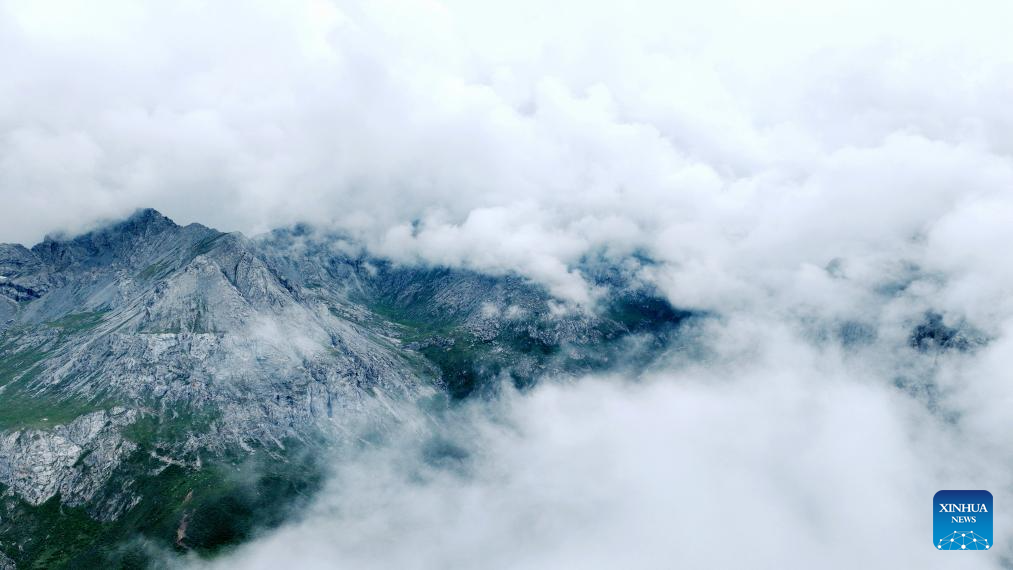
(182, 510)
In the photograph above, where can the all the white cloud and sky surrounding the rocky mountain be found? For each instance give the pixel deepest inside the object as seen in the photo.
(792, 167)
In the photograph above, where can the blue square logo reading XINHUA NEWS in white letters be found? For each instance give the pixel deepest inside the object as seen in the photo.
(963, 521)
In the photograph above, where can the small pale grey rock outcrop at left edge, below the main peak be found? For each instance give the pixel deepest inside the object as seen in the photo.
(73, 461)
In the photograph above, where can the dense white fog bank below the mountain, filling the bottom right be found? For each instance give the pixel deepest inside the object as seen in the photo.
(783, 456)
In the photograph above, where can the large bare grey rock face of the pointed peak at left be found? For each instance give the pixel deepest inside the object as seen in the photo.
(171, 323)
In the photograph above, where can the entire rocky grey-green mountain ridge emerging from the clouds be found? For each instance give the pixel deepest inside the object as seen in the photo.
(172, 385)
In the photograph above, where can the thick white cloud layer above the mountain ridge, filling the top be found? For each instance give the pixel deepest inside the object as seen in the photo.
(426, 128)
